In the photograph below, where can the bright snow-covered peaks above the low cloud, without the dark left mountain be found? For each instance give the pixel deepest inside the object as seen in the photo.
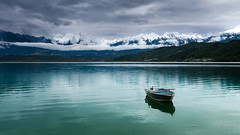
(151, 40)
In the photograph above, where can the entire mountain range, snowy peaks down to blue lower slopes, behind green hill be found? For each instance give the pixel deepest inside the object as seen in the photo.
(84, 47)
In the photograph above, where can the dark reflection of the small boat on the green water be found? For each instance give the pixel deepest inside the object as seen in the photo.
(166, 107)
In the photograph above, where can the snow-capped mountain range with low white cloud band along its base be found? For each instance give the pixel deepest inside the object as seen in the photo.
(72, 42)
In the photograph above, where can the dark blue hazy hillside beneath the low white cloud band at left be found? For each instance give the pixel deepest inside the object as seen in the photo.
(13, 53)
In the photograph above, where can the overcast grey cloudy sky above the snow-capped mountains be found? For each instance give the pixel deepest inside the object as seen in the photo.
(118, 18)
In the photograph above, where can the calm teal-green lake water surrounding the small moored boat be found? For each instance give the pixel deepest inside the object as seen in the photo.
(109, 99)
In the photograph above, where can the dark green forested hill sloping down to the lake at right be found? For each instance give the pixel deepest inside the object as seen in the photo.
(224, 52)
